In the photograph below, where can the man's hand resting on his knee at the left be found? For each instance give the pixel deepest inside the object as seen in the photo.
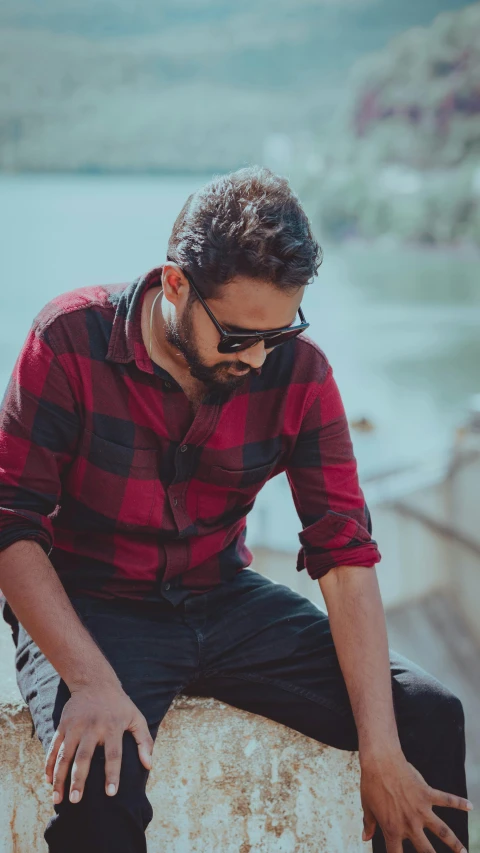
(94, 716)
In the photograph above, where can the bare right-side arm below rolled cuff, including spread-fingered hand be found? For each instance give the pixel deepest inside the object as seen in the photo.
(393, 792)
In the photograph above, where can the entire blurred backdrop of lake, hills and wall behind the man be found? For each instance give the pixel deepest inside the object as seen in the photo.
(111, 113)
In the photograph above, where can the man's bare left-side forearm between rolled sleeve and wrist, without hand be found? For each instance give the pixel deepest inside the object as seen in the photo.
(39, 601)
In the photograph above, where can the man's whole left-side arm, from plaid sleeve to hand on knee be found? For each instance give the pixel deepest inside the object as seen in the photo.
(39, 430)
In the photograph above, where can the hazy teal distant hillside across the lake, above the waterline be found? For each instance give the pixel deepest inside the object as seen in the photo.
(178, 85)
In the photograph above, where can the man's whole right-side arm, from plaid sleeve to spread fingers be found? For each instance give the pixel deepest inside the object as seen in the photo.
(339, 551)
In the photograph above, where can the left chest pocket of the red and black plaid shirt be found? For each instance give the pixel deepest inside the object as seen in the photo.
(114, 485)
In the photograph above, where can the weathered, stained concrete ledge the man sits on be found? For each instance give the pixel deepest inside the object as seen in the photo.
(223, 780)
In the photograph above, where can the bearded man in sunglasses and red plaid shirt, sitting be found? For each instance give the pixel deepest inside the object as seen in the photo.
(139, 425)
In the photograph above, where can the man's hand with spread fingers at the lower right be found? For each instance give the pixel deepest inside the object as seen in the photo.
(395, 795)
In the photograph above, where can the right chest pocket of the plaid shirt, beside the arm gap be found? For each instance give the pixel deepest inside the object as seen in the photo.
(227, 494)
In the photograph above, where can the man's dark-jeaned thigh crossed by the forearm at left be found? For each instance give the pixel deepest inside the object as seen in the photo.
(152, 651)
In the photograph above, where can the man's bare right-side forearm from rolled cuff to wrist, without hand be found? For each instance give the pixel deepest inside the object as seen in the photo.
(357, 622)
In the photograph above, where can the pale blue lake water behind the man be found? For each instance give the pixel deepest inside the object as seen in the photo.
(400, 326)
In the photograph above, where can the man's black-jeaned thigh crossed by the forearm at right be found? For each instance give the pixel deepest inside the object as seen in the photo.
(271, 651)
